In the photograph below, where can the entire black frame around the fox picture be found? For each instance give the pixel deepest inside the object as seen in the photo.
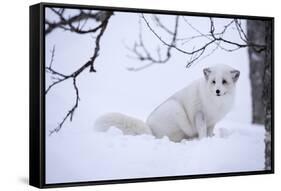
(37, 96)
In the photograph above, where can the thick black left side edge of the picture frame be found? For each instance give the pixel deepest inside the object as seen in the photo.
(35, 150)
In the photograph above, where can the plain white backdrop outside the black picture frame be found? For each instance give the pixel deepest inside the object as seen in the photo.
(14, 41)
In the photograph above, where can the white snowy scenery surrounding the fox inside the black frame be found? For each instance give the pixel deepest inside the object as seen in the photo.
(78, 153)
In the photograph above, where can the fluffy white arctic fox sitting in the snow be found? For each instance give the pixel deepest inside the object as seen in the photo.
(190, 113)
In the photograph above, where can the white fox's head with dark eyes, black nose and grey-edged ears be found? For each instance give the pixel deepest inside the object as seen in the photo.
(221, 79)
